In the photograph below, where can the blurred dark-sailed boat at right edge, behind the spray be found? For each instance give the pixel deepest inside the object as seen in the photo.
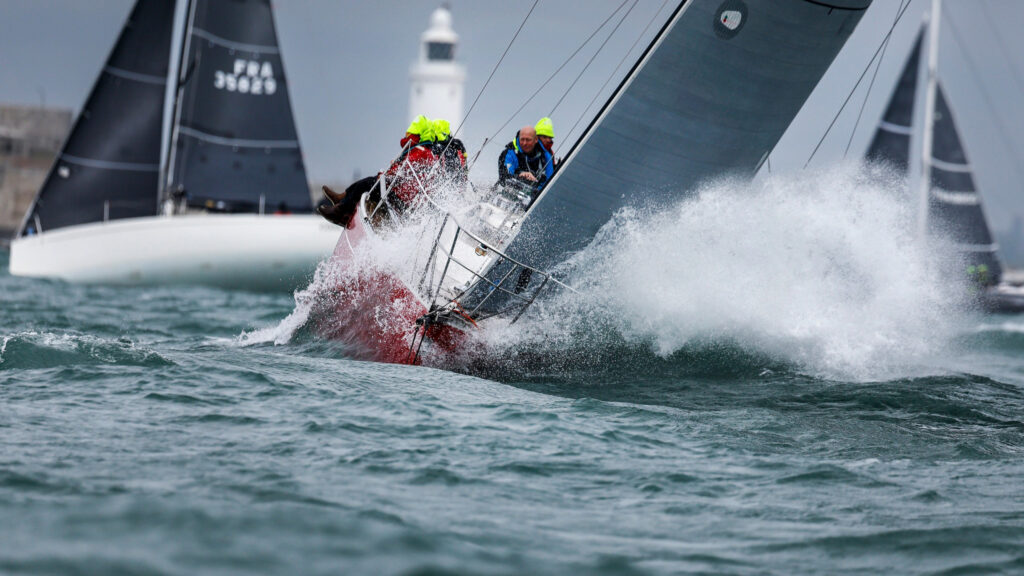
(951, 208)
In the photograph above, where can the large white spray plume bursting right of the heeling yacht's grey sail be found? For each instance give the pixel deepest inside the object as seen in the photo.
(821, 272)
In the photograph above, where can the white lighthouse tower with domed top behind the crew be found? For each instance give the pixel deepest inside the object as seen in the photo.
(437, 80)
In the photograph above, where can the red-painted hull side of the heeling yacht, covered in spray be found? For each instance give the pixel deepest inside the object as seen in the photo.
(374, 313)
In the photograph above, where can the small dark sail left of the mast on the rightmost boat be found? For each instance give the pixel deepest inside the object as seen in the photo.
(892, 141)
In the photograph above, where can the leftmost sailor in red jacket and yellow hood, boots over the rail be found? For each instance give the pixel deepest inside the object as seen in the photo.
(414, 168)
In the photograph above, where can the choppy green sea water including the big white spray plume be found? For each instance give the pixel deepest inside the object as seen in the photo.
(765, 380)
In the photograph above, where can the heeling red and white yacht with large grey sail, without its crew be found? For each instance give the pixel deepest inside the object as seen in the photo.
(712, 96)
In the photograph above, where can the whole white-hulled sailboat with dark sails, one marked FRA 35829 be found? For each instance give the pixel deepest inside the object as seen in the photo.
(110, 212)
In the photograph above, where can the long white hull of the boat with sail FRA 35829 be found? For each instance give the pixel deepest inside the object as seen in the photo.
(239, 252)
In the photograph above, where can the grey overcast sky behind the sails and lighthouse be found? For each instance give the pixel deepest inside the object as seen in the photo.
(348, 64)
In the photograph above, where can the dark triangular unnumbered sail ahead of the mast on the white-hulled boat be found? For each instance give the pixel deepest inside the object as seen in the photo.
(110, 164)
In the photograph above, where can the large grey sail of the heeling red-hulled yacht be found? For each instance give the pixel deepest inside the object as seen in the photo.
(711, 97)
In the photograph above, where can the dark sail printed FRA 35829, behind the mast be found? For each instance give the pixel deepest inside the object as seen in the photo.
(235, 143)
